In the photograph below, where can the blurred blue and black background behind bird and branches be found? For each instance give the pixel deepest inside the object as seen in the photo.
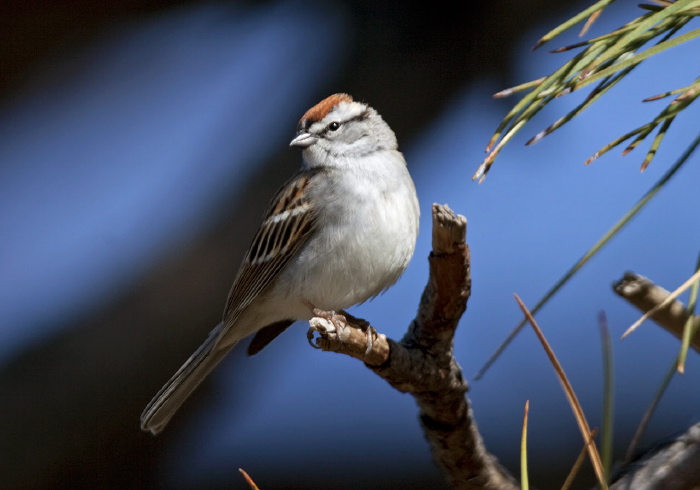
(138, 152)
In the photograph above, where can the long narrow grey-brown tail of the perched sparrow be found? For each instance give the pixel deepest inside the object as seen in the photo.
(178, 388)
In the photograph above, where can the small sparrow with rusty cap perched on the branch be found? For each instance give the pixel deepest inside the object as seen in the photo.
(341, 231)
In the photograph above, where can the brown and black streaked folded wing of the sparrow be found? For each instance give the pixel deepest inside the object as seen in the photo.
(287, 224)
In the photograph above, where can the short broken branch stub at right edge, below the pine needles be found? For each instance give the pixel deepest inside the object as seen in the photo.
(645, 295)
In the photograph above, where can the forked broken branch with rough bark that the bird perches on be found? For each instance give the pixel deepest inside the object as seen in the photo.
(422, 363)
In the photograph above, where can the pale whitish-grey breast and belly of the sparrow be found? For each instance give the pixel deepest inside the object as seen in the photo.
(364, 252)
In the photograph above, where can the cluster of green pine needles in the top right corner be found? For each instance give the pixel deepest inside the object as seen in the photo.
(606, 59)
